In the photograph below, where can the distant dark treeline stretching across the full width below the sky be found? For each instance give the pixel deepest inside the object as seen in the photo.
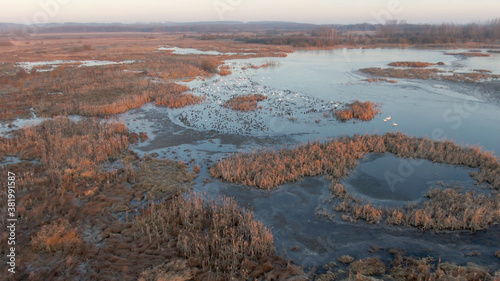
(295, 34)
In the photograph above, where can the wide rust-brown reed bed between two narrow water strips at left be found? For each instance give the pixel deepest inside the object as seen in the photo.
(97, 92)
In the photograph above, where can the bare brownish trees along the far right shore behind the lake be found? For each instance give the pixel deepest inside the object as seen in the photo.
(390, 33)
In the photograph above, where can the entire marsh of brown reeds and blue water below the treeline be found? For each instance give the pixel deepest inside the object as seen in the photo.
(304, 164)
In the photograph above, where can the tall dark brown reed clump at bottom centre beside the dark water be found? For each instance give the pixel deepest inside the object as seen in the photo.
(220, 240)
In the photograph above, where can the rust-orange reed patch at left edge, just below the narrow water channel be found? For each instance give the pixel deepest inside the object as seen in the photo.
(62, 144)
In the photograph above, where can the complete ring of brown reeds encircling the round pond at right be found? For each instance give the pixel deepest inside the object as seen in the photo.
(445, 209)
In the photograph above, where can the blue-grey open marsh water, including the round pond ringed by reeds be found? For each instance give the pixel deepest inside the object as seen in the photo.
(328, 80)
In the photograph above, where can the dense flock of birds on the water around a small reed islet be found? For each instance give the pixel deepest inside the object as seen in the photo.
(283, 104)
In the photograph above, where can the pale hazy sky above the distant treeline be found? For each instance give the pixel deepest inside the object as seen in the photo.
(311, 11)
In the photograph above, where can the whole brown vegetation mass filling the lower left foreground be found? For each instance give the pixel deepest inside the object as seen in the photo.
(82, 179)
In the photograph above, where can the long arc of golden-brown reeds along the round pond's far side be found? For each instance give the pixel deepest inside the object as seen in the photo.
(268, 169)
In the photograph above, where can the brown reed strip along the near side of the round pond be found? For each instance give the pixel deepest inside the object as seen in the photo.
(446, 209)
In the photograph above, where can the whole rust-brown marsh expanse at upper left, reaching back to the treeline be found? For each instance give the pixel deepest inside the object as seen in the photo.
(102, 90)
